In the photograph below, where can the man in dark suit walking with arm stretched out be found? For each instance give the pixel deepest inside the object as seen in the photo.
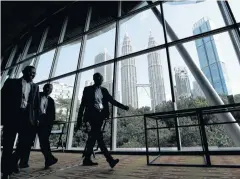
(95, 107)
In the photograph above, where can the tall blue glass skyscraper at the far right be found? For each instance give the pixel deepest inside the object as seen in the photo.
(210, 59)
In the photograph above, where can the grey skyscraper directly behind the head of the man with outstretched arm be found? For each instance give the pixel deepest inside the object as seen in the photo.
(106, 70)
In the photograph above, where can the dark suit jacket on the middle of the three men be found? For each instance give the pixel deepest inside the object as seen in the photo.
(50, 116)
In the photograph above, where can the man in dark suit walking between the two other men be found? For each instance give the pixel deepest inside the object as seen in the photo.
(46, 119)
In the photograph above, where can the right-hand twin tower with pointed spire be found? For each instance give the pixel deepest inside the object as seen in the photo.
(155, 73)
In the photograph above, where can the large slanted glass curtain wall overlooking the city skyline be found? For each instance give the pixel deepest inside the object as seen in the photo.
(143, 51)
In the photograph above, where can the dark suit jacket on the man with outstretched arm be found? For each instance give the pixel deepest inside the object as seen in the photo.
(88, 100)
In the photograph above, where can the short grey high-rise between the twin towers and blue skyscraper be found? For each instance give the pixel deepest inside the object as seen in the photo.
(182, 82)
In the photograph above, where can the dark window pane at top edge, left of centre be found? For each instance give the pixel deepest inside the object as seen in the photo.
(103, 14)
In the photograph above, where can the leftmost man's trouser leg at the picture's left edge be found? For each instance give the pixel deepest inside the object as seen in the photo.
(9, 135)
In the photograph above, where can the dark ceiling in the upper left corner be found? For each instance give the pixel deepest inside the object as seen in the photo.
(18, 17)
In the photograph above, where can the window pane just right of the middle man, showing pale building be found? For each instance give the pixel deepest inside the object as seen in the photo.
(62, 95)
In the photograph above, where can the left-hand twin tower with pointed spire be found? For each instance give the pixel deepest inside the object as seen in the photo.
(128, 75)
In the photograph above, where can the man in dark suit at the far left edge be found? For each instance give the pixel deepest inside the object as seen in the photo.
(20, 109)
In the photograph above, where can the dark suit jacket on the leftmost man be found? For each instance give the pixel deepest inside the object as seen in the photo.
(11, 101)
